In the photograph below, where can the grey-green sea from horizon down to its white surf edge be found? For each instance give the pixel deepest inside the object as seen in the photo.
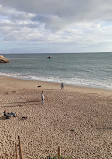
(78, 69)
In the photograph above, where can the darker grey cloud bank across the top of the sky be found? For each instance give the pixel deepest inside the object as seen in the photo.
(69, 10)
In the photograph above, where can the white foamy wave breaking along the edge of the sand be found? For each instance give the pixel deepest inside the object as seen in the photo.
(68, 81)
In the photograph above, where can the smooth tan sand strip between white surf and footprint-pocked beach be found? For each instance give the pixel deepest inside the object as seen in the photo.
(22, 83)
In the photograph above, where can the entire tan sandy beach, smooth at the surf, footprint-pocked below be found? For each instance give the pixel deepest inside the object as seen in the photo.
(77, 119)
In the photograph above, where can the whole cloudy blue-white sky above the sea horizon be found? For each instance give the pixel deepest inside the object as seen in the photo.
(55, 26)
